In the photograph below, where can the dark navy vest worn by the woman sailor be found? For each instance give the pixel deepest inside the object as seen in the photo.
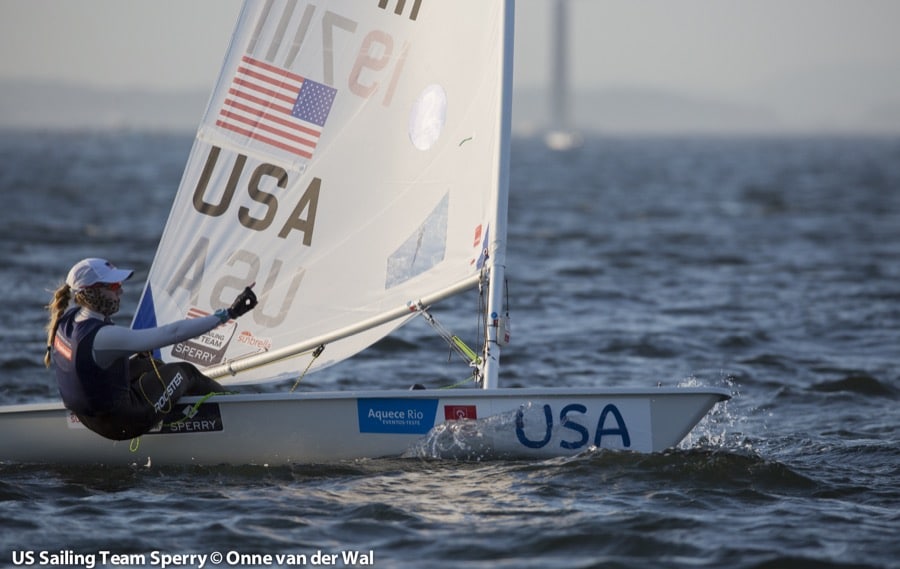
(86, 388)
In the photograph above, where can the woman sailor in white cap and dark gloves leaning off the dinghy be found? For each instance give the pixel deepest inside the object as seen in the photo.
(106, 374)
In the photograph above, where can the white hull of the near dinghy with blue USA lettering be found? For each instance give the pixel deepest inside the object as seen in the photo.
(277, 429)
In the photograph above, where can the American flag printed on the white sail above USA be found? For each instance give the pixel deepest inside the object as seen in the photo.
(276, 107)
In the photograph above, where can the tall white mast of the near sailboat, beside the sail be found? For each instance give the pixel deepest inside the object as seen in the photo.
(496, 316)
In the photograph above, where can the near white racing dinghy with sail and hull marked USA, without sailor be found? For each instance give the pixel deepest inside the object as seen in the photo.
(353, 163)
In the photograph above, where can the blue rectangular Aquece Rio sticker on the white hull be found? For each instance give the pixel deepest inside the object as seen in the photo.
(398, 416)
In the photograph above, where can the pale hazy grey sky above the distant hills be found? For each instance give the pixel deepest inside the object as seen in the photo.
(776, 52)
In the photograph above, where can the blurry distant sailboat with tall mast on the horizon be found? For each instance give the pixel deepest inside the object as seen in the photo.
(561, 135)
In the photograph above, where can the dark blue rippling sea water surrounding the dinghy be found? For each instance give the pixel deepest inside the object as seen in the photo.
(770, 266)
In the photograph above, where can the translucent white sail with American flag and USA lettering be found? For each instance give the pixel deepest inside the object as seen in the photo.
(348, 163)
